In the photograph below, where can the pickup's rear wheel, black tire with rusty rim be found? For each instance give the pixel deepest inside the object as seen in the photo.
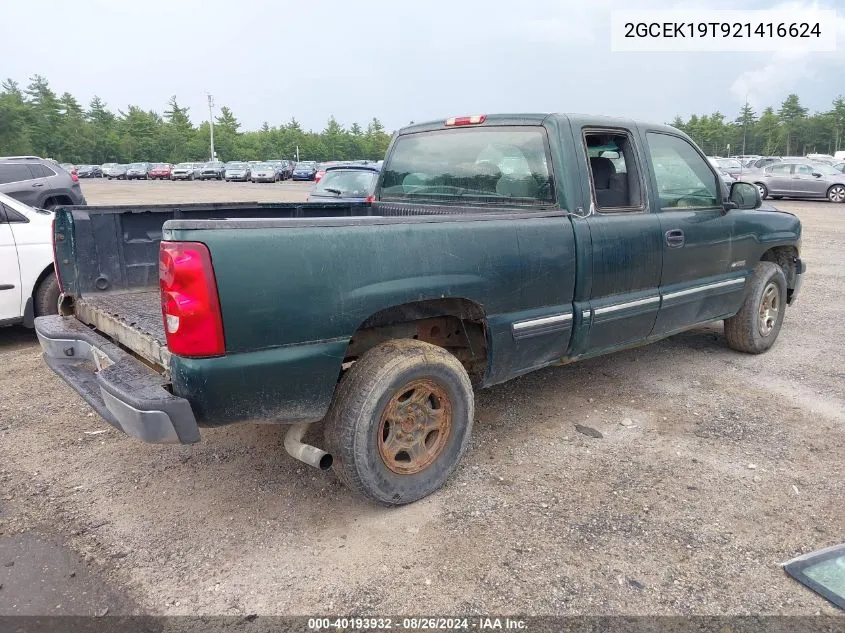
(357, 430)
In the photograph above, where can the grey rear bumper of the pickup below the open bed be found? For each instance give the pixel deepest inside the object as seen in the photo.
(128, 394)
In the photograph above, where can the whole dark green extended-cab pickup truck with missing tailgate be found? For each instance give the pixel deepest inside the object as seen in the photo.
(496, 245)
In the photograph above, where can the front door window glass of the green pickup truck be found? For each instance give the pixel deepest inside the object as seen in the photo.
(684, 178)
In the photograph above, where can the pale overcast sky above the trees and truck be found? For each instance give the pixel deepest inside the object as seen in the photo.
(395, 60)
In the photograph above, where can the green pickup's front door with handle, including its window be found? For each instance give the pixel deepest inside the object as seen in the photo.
(700, 280)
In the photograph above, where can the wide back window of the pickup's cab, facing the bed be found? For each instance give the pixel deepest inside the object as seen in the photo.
(492, 165)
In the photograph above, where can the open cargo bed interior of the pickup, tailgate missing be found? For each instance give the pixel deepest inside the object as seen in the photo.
(109, 263)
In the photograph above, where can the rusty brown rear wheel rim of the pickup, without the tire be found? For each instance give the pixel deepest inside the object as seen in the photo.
(415, 427)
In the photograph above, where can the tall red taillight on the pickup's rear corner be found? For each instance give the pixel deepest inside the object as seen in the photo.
(190, 306)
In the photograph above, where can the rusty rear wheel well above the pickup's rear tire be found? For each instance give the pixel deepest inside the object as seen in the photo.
(457, 325)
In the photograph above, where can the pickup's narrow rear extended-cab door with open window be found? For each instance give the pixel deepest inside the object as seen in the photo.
(625, 253)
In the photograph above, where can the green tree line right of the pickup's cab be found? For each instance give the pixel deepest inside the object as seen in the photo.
(786, 131)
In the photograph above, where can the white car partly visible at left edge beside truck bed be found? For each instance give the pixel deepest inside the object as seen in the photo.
(28, 284)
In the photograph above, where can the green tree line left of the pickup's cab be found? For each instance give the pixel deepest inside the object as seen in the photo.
(36, 121)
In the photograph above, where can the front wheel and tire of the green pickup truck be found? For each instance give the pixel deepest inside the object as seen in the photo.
(752, 330)
